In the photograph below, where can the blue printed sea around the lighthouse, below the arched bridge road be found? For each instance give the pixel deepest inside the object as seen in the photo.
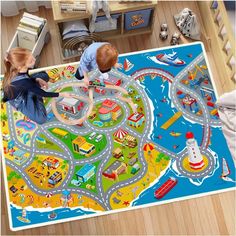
(218, 144)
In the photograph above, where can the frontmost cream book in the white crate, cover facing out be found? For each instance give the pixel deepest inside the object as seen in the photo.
(26, 38)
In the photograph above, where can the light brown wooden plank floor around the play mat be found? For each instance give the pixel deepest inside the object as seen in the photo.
(211, 215)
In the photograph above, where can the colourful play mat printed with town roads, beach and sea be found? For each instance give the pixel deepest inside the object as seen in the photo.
(155, 140)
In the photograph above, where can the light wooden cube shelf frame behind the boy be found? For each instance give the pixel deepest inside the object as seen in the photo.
(116, 7)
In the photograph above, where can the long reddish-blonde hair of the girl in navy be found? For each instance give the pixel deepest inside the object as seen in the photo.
(15, 59)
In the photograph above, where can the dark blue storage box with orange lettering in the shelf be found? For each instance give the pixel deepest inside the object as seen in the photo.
(137, 19)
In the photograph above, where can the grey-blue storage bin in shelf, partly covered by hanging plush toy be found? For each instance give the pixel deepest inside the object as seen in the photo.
(102, 24)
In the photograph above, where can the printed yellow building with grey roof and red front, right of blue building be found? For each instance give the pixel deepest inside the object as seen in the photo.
(115, 169)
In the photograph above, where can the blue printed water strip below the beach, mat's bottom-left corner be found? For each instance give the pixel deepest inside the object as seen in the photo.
(37, 217)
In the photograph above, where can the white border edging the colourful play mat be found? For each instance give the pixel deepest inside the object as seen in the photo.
(118, 210)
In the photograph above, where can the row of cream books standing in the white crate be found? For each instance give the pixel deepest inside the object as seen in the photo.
(29, 29)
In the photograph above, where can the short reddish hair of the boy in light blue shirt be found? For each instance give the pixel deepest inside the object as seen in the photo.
(106, 57)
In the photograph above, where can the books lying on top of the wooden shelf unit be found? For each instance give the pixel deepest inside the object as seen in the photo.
(73, 6)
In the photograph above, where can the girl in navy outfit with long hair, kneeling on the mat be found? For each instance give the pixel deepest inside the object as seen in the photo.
(23, 91)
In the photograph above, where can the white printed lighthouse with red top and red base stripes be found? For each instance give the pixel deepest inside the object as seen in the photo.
(195, 157)
